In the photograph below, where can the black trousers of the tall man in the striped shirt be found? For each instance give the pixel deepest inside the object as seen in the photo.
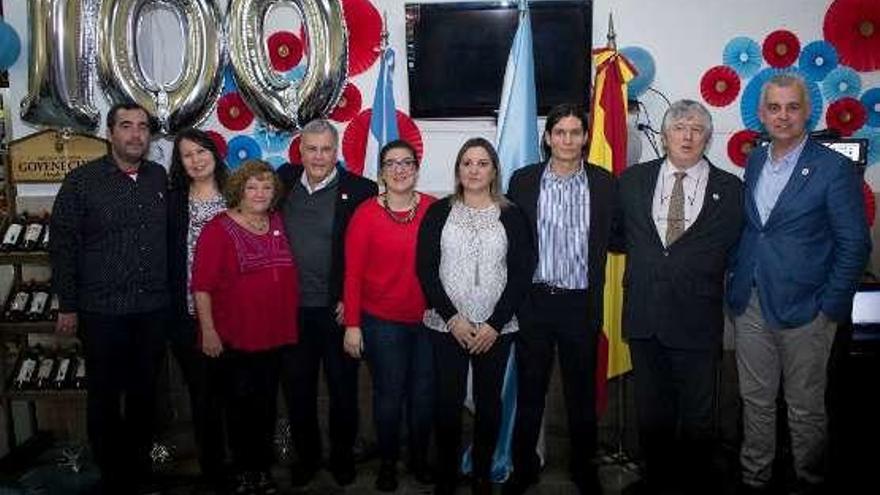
(549, 321)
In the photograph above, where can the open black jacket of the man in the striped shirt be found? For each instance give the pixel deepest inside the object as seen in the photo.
(524, 189)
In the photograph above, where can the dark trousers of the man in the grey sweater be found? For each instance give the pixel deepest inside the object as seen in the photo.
(320, 339)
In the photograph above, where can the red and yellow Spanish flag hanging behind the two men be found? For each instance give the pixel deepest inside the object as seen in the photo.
(607, 149)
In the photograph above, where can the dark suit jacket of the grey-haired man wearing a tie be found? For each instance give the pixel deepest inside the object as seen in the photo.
(675, 292)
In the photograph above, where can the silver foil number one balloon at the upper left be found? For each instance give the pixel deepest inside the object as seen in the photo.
(60, 71)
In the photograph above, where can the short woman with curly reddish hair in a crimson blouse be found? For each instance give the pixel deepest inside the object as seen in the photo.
(246, 293)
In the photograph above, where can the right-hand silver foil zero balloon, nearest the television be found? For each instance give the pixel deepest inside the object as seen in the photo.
(279, 102)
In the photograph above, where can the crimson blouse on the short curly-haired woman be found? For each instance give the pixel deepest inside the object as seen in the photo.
(252, 282)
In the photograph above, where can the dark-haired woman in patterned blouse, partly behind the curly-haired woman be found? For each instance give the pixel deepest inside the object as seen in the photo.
(197, 176)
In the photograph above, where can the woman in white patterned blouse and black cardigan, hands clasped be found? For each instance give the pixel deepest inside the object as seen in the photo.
(474, 261)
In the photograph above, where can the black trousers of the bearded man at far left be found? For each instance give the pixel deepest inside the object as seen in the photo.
(122, 354)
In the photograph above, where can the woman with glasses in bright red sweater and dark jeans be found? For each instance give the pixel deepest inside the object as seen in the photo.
(384, 307)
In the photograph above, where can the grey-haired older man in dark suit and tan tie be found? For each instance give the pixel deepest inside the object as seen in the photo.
(678, 219)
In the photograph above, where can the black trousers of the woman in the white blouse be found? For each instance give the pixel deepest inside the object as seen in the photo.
(451, 369)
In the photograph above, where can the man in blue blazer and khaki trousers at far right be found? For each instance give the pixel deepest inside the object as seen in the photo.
(803, 248)
